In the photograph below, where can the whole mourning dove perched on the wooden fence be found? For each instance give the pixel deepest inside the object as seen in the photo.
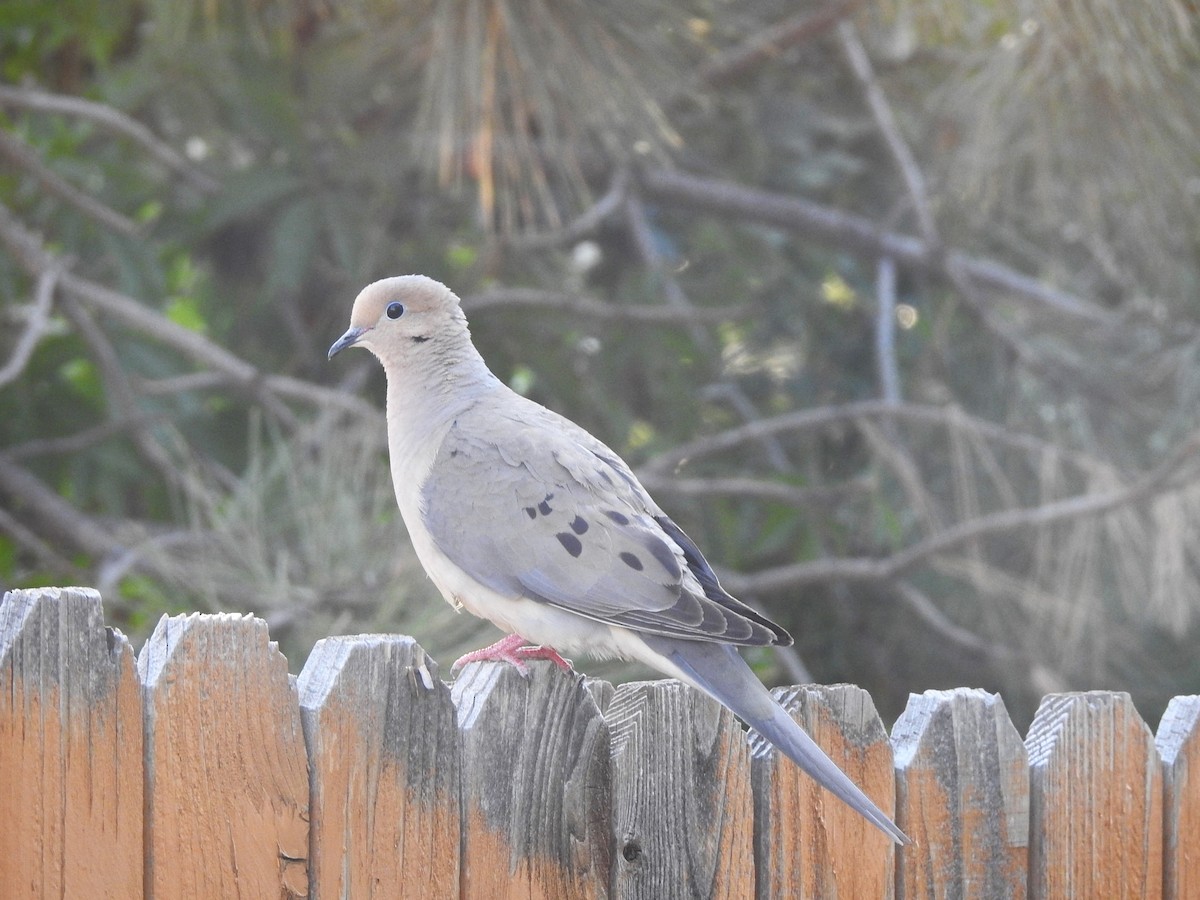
(525, 519)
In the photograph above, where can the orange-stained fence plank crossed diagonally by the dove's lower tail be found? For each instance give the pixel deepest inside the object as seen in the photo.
(809, 843)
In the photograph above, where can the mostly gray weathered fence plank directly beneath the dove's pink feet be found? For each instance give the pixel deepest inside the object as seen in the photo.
(537, 784)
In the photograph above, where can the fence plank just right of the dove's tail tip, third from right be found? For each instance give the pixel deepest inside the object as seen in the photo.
(963, 795)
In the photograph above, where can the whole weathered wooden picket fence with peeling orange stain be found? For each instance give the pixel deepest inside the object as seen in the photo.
(202, 769)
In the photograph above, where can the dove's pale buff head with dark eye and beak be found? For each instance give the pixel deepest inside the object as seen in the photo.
(394, 315)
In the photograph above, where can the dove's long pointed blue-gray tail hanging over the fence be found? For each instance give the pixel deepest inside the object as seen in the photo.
(719, 671)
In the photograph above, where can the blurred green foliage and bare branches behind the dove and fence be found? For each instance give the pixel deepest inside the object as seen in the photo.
(893, 307)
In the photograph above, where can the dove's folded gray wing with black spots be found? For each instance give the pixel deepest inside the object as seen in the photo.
(532, 506)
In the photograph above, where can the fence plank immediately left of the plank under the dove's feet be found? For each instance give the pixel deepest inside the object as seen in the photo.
(385, 764)
